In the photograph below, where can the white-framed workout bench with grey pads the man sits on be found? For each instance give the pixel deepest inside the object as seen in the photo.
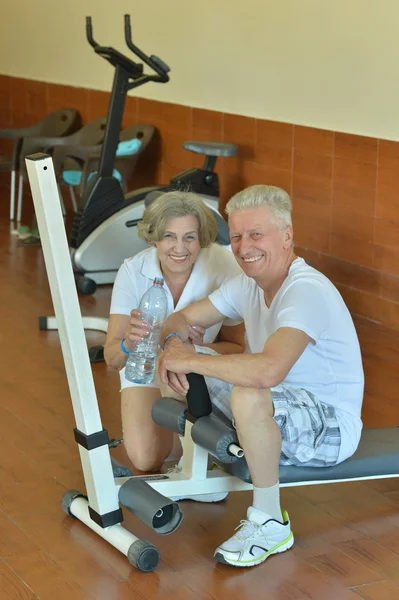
(148, 497)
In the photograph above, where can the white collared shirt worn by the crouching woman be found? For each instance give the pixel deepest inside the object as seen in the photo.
(214, 266)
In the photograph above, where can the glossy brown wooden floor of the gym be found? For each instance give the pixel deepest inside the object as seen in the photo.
(347, 535)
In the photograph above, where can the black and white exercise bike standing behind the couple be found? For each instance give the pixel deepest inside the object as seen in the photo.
(104, 229)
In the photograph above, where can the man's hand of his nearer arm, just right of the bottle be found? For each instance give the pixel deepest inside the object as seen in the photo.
(174, 364)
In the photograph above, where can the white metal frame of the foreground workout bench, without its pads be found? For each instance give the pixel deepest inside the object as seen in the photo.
(102, 489)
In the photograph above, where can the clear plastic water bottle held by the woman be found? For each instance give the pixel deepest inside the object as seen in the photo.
(141, 362)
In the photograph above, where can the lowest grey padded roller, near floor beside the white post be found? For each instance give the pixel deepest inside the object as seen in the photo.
(158, 512)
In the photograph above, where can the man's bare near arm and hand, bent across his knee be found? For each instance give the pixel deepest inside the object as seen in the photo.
(263, 370)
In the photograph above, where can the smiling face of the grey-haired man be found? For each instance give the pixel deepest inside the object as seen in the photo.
(258, 245)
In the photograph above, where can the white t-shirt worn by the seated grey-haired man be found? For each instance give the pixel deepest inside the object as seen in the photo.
(331, 365)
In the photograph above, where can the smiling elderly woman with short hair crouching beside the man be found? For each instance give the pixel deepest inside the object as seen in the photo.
(181, 231)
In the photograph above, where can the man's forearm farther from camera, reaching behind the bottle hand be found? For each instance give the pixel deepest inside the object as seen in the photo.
(201, 313)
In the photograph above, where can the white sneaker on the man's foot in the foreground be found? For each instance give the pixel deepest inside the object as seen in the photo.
(258, 537)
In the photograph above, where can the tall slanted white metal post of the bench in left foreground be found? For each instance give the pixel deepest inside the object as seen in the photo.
(97, 468)
